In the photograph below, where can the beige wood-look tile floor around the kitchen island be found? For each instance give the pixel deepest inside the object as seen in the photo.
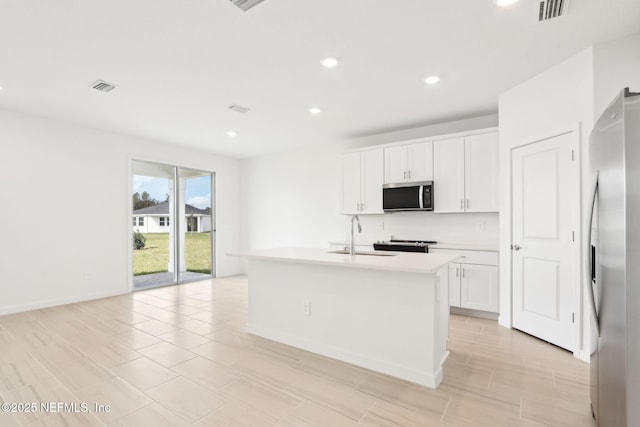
(179, 356)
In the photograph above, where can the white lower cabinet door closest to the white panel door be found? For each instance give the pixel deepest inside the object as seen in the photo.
(479, 287)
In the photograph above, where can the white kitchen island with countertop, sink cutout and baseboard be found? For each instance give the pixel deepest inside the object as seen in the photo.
(386, 313)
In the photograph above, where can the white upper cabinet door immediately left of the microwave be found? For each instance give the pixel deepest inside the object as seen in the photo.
(372, 175)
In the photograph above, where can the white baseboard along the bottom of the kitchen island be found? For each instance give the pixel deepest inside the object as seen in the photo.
(365, 361)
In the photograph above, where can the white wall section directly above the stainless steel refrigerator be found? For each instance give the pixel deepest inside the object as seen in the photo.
(616, 66)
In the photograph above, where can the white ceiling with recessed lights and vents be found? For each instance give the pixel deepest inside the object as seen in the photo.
(179, 64)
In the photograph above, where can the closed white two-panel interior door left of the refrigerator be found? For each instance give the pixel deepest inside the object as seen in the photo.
(545, 256)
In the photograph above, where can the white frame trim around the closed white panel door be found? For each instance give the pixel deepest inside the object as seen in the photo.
(506, 216)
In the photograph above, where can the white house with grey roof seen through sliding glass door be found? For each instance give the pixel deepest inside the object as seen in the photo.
(155, 219)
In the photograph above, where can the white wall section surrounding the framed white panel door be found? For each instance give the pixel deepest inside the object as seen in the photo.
(555, 100)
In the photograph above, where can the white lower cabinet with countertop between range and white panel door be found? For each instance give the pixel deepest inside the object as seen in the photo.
(473, 283)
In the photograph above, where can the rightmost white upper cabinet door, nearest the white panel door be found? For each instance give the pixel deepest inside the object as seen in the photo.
(481, 172)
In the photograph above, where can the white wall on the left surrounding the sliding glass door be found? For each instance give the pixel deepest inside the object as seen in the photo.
(58, 182)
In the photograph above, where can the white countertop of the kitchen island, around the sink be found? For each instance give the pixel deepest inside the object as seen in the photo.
(390, 261)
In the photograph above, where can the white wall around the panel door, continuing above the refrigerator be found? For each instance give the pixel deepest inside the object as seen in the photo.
(574, 91)
